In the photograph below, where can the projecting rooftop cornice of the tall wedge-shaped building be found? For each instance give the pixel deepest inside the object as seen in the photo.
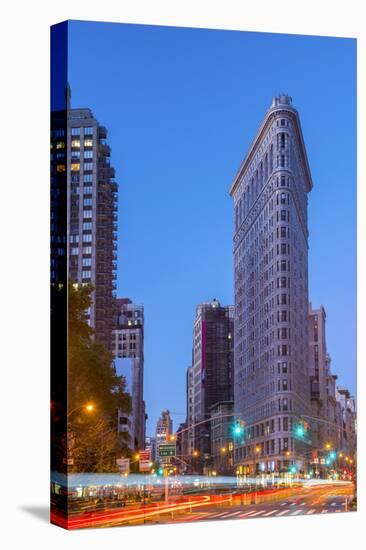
(267, 121)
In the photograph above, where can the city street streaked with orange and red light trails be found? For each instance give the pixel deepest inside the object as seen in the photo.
(307, 499)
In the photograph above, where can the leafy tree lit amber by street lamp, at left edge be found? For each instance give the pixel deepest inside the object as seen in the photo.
(93, 440)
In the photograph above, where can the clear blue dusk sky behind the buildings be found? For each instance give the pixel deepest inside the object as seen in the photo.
(182, 107)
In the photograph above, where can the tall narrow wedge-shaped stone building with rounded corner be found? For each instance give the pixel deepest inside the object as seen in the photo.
(271, 382)
